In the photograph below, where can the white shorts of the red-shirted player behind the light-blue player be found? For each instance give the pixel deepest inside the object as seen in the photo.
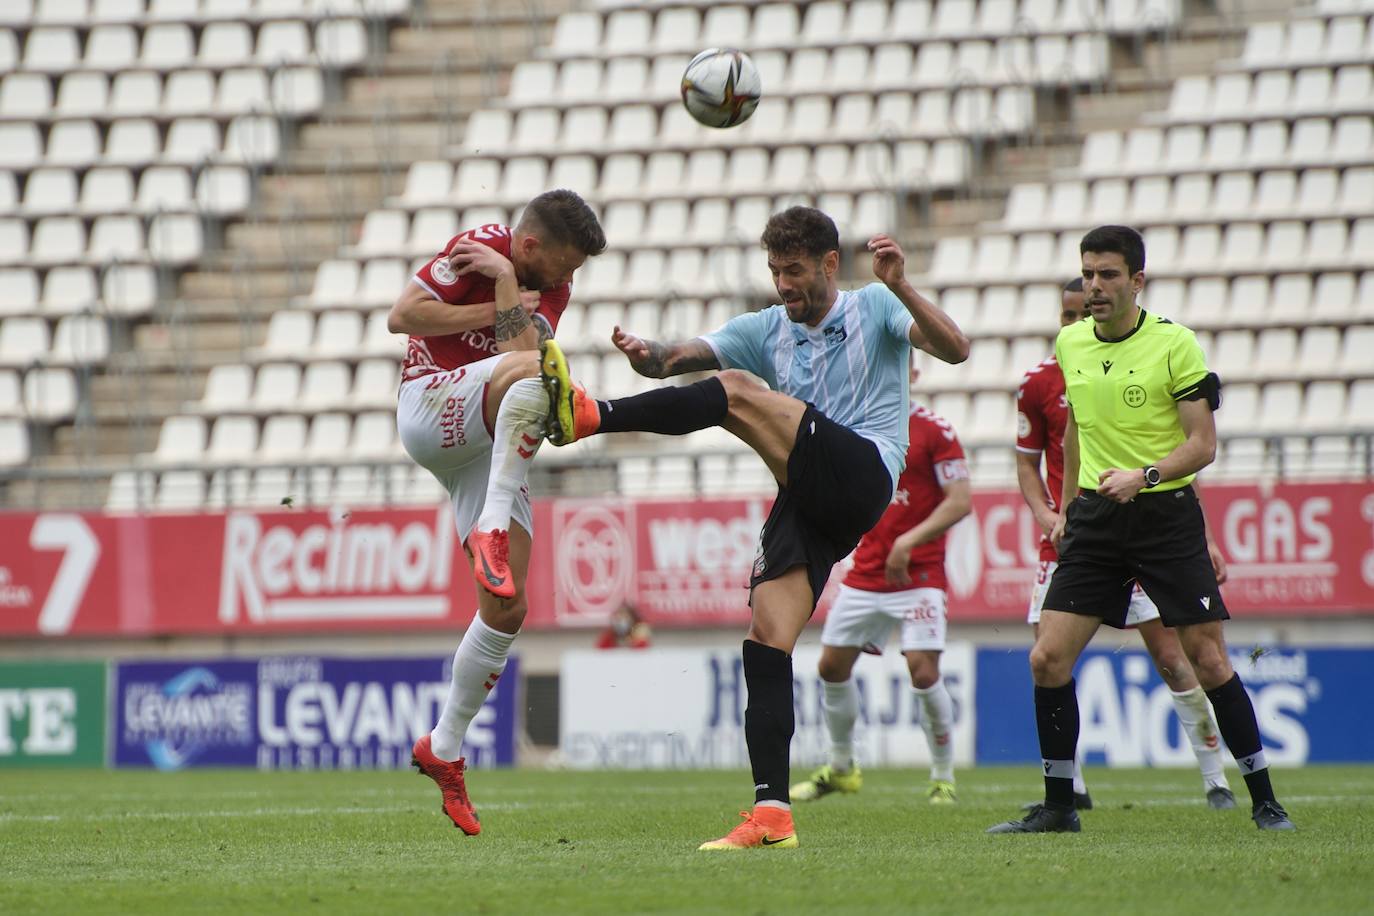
(861, 619)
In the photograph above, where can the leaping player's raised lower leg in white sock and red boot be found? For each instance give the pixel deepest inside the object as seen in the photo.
(516, 439)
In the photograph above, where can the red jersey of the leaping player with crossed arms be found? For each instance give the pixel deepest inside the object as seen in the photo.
(429, 355)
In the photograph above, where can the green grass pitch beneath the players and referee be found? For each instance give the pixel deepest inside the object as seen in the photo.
(245, 843)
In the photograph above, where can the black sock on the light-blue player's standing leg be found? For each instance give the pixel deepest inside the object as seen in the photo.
(769, 720)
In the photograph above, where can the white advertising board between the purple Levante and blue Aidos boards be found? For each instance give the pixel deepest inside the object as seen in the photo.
(685, 709)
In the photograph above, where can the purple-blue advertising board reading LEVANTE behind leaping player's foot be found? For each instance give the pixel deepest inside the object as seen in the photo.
(296, 713)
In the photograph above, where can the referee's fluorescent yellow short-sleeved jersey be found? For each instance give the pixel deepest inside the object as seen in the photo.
(1123, 393)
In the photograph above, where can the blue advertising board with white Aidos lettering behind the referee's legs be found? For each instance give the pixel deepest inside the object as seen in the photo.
(1307, 702)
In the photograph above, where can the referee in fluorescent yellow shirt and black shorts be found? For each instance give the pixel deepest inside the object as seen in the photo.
(1141, 426)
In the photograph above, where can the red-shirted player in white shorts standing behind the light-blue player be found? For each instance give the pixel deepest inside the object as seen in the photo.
(898, 577)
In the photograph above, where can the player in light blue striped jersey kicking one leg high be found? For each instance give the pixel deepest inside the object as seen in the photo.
(832, 428)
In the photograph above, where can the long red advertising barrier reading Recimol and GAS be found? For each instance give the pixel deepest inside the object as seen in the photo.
(1294, 550)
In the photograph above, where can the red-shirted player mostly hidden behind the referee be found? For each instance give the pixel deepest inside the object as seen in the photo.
(1042, 415)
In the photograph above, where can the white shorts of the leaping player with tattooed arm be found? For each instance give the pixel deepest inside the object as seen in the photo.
(440, 421)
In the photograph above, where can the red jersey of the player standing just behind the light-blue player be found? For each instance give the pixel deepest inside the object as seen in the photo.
(935, 458)
